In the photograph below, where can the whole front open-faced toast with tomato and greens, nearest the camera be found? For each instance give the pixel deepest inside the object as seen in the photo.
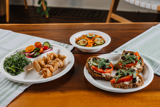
(127, 79)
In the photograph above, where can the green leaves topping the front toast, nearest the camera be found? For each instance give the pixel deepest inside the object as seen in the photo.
(123, 73)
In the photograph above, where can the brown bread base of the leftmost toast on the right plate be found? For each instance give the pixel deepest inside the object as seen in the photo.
(97, 75)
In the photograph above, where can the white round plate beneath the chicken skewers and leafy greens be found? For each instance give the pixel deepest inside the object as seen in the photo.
(33, 76)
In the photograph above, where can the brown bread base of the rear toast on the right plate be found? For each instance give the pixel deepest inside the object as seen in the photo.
(138, 69)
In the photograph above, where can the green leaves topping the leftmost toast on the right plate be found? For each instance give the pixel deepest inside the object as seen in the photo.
(101, 62)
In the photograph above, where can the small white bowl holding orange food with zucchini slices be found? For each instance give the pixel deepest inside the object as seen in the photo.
(105, 36)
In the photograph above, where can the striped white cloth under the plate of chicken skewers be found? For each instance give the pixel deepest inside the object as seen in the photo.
(10, 41)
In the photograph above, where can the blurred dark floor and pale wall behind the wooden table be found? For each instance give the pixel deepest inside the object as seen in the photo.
(74, 11)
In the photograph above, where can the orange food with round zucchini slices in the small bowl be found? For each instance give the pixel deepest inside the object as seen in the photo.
(90, 40)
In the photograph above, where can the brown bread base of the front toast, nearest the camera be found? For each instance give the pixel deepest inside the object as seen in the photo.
(140, 82)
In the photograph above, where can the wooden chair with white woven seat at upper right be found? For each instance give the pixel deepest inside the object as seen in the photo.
(143, 4)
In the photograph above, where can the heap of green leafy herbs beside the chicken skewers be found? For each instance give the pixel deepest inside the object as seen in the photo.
(15, 64)
